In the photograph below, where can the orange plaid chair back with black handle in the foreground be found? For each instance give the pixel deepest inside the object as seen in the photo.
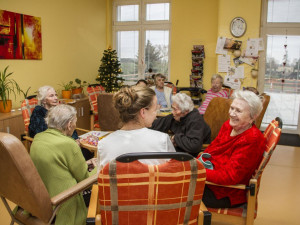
(131, 192)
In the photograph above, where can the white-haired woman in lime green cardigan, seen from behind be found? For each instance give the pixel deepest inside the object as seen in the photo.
(59, 162)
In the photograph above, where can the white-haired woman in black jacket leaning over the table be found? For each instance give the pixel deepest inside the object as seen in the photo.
(188, 128)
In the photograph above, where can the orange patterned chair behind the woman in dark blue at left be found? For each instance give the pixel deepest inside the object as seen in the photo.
(27, 107)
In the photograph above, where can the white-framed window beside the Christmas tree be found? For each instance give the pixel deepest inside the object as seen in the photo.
(141, 33)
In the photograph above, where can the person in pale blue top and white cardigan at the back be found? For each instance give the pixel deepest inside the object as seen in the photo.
(163, 93)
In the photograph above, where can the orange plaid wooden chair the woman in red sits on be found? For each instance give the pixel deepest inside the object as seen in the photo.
(246, 213)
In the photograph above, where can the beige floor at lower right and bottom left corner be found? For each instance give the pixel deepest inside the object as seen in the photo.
(279, 195)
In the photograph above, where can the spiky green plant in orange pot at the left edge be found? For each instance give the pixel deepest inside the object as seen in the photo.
(7, 86)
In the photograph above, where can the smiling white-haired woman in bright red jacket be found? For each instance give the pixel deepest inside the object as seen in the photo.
(235, 153)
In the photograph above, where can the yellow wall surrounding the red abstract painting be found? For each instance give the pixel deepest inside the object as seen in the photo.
(73, 40)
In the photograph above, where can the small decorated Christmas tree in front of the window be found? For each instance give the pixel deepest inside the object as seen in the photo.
(109, 71)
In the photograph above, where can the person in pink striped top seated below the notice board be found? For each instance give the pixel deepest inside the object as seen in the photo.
(215, 91)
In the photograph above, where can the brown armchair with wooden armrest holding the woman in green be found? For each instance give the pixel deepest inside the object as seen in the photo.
(21, 184)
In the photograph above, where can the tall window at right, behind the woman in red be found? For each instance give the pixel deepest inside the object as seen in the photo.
(280, 70)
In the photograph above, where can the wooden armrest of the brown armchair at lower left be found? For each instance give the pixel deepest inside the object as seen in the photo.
(67, 194)
